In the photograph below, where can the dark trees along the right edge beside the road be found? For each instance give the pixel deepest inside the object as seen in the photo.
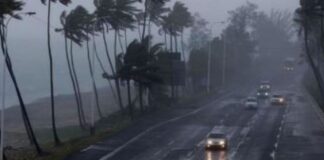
(309, 18)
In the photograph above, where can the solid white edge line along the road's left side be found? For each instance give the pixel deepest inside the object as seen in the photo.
(109, 155)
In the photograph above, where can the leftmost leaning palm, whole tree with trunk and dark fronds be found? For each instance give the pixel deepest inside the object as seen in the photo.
(8, 7)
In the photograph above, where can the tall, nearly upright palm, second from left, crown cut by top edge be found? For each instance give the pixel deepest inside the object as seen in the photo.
(65, 2)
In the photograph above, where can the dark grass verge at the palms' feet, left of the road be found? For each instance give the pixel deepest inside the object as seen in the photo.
(105, 129)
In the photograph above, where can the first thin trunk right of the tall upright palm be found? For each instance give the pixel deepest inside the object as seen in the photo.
(73, 83)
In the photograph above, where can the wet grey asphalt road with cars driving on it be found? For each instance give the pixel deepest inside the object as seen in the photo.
(269, 133)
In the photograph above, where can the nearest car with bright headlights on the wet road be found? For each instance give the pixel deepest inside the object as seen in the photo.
(216, 141)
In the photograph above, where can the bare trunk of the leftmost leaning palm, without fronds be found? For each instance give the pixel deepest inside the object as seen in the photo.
(28, 126)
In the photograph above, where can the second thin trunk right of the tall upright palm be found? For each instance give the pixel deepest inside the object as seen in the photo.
(77, 83)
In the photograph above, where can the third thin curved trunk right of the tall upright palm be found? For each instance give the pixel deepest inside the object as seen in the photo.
(94, 86)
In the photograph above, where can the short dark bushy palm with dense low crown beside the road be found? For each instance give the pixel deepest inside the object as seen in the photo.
(139, 64)
